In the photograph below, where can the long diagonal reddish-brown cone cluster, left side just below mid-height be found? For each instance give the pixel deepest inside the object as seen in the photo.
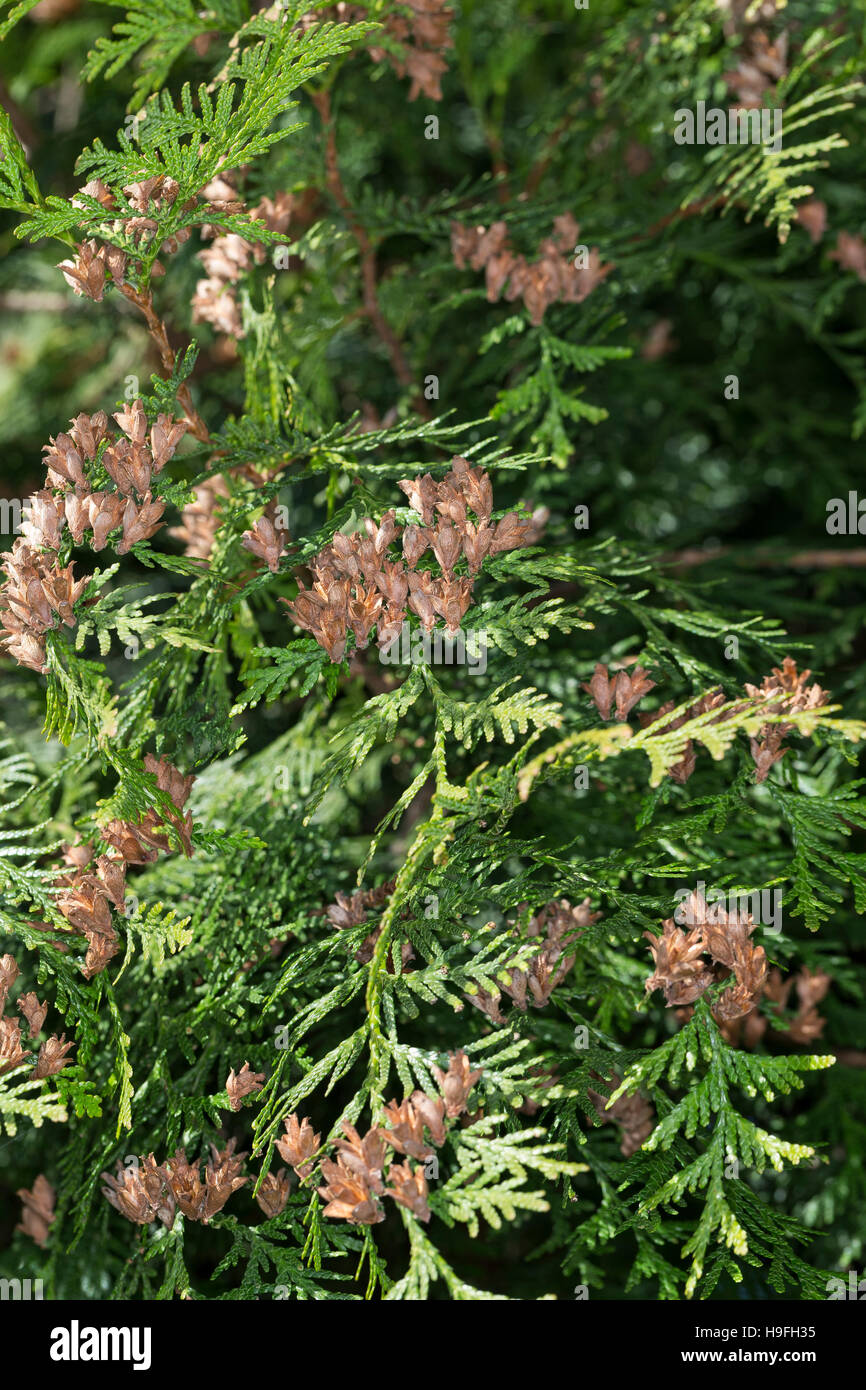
(95, 886)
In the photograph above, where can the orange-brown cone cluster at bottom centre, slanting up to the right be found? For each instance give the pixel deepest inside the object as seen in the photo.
(358, 1177)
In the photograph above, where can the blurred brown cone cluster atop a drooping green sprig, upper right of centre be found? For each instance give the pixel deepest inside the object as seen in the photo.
(551, 279)
